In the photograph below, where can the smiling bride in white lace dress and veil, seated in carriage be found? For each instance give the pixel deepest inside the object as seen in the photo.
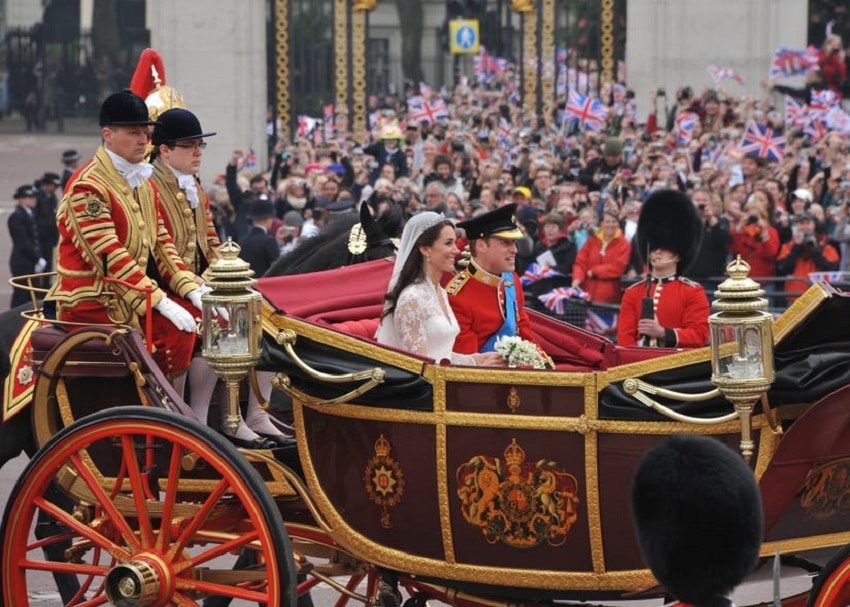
(417, 316)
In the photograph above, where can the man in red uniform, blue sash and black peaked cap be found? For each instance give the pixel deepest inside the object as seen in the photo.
(487, 296)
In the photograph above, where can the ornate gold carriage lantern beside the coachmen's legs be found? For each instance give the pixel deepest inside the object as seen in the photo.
(231, 341)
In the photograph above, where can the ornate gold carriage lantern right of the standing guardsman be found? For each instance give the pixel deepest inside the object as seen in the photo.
(741, 345)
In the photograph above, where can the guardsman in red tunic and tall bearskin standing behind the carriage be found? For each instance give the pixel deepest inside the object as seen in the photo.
(666, 309)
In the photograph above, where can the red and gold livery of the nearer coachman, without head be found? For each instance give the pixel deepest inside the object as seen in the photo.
(101, 216)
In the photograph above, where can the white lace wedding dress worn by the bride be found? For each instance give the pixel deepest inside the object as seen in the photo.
(423, 323)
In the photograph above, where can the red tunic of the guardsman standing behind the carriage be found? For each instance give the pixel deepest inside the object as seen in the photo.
(680, 305)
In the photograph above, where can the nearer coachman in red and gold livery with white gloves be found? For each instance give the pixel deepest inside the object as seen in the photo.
(110, 224)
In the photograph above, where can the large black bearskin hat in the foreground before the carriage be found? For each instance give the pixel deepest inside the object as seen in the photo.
(697, 512)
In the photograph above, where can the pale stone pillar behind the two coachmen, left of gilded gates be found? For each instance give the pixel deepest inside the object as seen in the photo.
(214, 52)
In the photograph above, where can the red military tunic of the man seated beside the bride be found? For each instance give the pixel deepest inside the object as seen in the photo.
(478, 301)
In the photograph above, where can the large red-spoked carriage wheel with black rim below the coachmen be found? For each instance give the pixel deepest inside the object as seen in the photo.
(159, 510)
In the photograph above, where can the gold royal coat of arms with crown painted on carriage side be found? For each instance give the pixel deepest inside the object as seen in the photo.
(521, 504)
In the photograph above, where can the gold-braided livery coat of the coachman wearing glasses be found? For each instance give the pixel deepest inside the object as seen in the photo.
(192, 230)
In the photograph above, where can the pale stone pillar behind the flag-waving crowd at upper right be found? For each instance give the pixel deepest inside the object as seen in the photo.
(671, 43)
